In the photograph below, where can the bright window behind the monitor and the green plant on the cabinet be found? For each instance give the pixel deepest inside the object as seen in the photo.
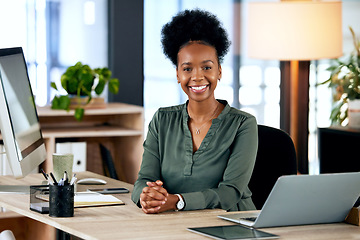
(54, 35)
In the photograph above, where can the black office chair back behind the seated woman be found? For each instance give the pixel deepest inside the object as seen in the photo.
(276, 157)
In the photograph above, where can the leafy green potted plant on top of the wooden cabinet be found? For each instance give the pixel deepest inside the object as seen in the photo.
(80, 82)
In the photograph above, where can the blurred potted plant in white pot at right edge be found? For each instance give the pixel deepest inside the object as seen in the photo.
(345, 80)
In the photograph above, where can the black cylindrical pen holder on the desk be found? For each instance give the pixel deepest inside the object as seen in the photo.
(61, 202)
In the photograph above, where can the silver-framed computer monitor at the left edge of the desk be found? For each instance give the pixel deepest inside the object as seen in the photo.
(19, 123)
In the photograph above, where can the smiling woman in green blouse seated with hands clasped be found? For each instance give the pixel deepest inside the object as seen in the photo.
(199, 154)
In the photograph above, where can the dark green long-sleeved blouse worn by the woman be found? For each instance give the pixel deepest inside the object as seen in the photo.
(217, 174)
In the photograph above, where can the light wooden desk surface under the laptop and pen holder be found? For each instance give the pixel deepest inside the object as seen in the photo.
(129, 222)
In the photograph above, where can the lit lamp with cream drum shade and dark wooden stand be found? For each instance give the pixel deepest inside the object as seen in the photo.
(295, 31)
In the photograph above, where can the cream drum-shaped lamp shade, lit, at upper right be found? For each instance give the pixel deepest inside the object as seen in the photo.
(294, 30)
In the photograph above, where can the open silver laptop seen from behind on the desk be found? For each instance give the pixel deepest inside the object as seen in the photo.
(305, 199)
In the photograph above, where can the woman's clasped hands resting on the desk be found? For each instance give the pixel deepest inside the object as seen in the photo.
(155, 199)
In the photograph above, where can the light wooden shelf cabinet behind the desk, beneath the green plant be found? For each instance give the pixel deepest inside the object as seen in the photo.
(119, 127)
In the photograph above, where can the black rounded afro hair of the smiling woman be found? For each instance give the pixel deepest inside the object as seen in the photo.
(194, 25)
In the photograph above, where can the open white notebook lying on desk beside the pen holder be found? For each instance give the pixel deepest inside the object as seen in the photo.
(90, 199)
